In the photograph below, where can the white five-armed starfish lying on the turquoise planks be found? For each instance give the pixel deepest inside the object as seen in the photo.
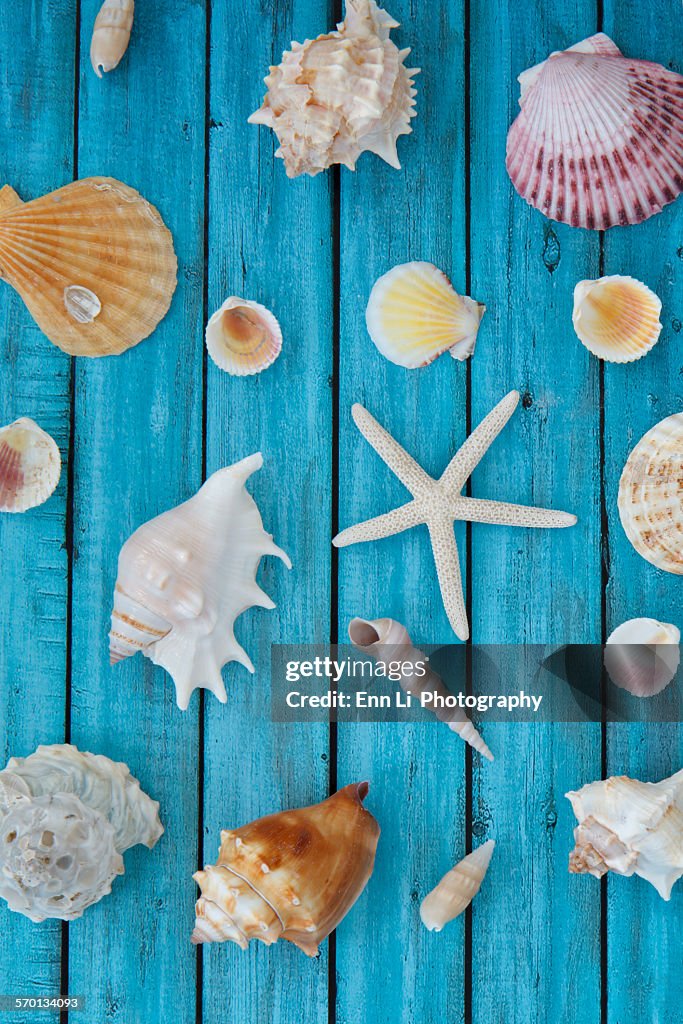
(440, 503)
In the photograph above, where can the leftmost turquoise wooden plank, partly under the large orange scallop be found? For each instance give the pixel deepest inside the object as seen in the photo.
(36, 121)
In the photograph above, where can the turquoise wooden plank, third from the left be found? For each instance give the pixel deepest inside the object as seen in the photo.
(270, 240)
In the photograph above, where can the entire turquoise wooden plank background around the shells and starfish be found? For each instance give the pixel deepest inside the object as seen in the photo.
(139, 434)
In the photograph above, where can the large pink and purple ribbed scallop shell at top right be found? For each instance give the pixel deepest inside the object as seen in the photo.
(600, 139)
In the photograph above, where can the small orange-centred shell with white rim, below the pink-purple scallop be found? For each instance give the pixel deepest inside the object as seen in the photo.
(618, 319)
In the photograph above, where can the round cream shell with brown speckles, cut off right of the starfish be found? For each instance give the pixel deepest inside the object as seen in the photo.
(651, 495)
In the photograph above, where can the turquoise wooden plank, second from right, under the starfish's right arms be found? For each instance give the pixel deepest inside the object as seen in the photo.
(536, 944)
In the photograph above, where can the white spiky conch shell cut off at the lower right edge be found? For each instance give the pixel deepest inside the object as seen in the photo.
(630, 828)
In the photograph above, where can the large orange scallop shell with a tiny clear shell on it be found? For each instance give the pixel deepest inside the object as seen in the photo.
(94, 263)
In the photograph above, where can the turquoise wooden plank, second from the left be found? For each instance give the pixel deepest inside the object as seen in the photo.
(139, 452)
